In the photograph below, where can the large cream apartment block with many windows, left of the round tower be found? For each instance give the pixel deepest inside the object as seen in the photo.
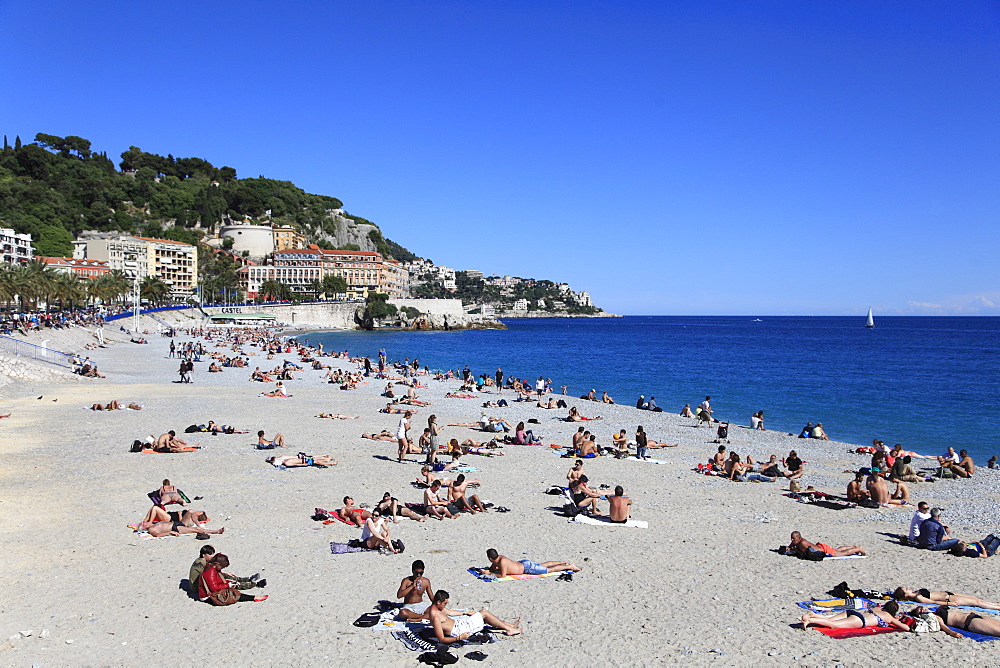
(173, 262)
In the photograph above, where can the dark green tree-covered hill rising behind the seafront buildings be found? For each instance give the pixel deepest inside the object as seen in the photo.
(56, 187)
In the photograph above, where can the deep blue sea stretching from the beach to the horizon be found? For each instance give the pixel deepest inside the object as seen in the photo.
(926, 382)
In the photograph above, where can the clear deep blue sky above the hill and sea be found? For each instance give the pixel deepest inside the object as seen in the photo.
(670, 158)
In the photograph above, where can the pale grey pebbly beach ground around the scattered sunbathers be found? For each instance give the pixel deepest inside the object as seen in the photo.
(702, 584)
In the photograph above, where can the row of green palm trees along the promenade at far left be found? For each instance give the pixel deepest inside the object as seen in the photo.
(36, 283)
